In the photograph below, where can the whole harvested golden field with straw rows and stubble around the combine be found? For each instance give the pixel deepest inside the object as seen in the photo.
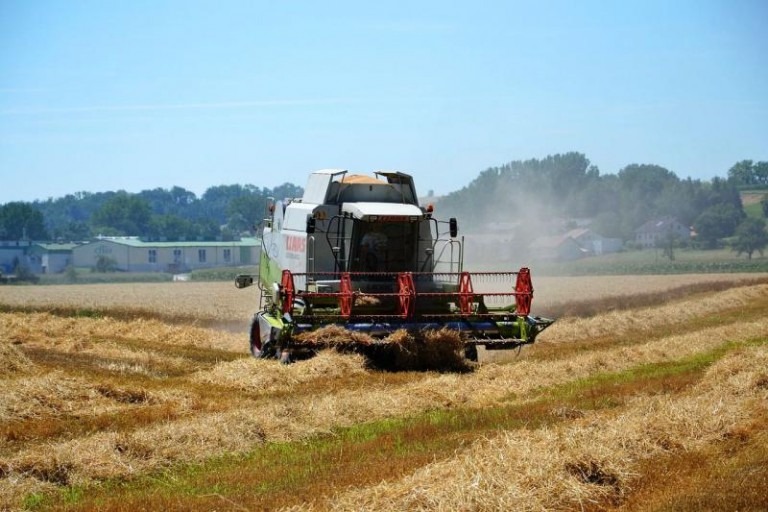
(122, 412)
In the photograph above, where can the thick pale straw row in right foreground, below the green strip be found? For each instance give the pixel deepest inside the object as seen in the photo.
(591, 461)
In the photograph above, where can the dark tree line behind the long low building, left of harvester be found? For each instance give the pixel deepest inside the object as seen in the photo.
(221, 212)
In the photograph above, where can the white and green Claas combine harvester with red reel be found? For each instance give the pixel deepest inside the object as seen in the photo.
(358, 255)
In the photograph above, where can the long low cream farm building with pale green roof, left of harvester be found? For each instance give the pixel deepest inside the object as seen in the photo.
(130, 254)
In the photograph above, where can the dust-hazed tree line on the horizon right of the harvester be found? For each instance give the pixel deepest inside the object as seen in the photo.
(531, 194)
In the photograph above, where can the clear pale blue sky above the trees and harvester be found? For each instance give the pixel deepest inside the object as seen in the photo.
(100, 95)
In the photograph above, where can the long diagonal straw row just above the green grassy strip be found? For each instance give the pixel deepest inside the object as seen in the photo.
(311, 414)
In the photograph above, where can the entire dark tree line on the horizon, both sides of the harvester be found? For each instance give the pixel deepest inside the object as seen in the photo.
(526, 193)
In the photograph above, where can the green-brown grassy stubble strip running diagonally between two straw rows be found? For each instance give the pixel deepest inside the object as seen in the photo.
(282, 474)
